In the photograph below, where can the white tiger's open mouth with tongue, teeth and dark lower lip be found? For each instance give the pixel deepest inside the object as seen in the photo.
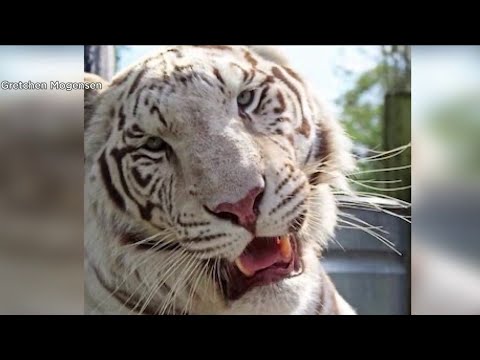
(265, 261)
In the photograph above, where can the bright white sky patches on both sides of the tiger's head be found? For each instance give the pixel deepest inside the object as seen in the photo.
(318, 64)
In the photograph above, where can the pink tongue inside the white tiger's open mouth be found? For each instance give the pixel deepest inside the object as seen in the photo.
(262, 253)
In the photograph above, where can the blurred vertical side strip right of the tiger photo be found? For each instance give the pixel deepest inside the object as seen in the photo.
(446, 180)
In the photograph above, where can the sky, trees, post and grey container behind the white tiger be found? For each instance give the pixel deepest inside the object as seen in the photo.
(368, 89)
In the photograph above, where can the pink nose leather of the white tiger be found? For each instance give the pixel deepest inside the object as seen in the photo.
(244, 209)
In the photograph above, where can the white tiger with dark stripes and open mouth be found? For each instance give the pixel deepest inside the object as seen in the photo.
(209, 177)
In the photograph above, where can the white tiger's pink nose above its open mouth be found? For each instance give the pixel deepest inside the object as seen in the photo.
(244, 212)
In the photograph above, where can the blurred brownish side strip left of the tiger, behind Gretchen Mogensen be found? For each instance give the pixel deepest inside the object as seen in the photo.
(41, 183)
